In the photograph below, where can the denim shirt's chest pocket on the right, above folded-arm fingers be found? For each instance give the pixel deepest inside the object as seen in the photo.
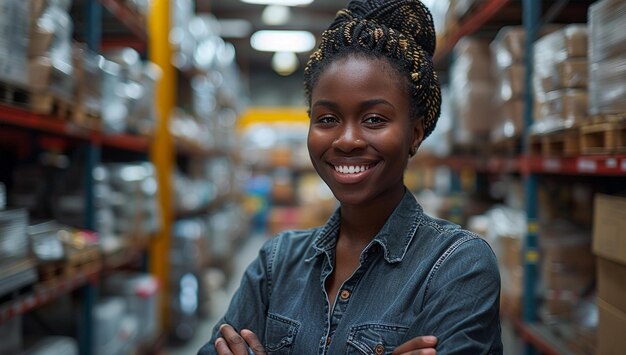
(374, 339)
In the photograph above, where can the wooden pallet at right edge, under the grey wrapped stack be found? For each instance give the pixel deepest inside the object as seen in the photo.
(603, 138)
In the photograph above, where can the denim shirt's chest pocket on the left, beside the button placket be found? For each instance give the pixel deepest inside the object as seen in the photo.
(280, 334)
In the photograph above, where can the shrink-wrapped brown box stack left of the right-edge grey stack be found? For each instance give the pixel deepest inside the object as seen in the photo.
(560, 79)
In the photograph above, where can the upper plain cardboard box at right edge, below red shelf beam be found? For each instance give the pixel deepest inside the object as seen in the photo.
(609, 227)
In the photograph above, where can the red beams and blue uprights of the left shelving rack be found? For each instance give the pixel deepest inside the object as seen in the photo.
(92, 142)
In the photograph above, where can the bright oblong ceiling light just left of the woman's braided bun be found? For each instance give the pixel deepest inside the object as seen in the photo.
(283, 41)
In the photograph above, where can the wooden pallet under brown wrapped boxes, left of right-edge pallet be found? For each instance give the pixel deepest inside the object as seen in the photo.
(564, 142)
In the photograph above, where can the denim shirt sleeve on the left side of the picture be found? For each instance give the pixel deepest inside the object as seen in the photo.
(248, 307)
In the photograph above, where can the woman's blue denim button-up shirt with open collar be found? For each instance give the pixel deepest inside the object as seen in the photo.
(418, 276)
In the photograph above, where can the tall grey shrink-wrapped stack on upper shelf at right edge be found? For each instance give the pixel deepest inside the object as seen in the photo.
(607, 55)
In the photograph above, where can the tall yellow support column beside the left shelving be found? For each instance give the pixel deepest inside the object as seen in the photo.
(162, 151)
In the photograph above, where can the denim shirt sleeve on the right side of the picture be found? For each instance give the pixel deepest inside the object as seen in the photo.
(462, 302)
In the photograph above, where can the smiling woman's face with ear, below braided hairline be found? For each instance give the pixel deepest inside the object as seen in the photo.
(360, 132)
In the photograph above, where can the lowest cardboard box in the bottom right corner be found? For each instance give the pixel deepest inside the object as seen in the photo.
(611, 328)
